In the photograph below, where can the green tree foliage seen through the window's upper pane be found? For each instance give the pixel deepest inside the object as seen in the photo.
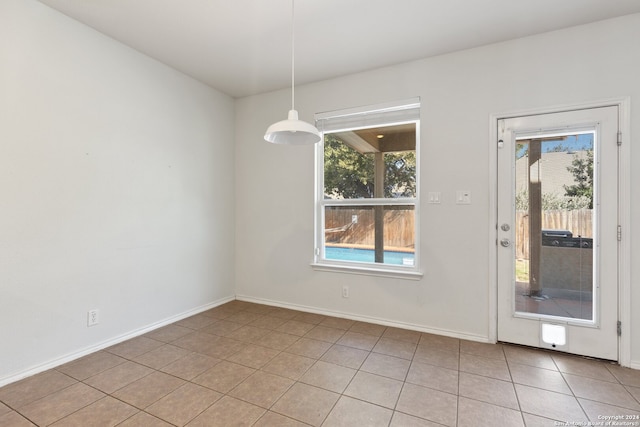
(349, 174)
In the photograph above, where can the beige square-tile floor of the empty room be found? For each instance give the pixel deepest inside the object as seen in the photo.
(248, 364)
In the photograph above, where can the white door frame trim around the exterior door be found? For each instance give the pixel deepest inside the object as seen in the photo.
(624, 213)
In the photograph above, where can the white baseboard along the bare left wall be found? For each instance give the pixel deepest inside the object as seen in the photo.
(108, 343)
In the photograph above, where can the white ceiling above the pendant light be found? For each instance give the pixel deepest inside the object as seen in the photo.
(242, 47)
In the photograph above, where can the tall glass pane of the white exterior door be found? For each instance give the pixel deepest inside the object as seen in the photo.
(554, 226)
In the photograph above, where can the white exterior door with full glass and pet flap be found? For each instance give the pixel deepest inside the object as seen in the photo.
(558, 231)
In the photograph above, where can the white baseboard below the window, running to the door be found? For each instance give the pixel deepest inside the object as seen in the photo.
(375, 320)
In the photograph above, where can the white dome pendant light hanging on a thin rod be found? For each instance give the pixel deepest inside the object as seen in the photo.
(292, 131)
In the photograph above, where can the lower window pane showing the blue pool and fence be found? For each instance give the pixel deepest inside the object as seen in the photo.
(351, 232)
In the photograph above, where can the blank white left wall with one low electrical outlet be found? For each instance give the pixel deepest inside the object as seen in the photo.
(116, 190)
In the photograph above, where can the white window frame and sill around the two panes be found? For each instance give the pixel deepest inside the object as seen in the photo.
(388, 114)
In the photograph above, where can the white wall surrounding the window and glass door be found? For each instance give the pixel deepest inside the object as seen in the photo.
(275, 184)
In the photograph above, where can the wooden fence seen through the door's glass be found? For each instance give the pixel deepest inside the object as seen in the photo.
(579, 222)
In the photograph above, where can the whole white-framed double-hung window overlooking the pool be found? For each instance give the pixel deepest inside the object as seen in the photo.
(367, 179)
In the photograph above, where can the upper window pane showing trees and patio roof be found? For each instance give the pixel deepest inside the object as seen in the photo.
(375, 162)
